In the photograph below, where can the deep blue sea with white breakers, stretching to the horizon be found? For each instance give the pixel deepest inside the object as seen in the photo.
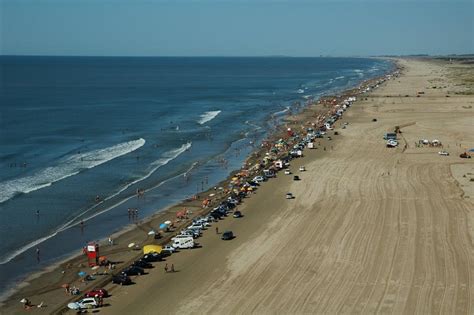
(76, 128)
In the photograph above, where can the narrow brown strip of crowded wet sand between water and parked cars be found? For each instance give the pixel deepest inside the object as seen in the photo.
(125, 234)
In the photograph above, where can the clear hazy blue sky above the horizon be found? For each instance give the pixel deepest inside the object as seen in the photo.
(236, 27)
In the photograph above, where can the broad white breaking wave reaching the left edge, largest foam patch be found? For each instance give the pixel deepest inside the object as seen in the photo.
(67, 167)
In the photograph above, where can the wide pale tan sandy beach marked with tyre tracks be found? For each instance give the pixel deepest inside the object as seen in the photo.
(371, 229)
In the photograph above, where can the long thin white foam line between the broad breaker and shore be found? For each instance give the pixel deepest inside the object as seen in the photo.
(165, 159)
